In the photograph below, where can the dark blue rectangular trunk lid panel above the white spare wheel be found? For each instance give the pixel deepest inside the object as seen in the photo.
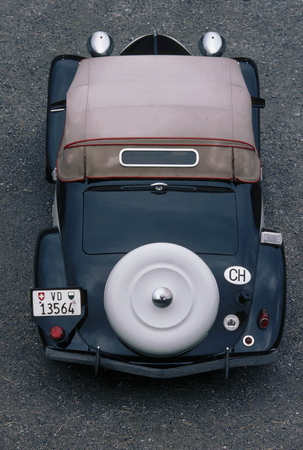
(118, 219)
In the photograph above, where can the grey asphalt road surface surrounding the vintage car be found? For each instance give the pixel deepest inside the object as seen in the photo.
(51, 405)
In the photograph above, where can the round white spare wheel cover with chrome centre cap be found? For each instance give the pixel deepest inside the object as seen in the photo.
(161, 299)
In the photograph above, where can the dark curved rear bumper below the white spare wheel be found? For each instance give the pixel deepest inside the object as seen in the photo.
(171, 372)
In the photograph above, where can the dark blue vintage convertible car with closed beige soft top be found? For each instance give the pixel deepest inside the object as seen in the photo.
(158, 262)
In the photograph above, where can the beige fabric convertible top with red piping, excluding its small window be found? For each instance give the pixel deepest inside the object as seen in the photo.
(185, 101)
